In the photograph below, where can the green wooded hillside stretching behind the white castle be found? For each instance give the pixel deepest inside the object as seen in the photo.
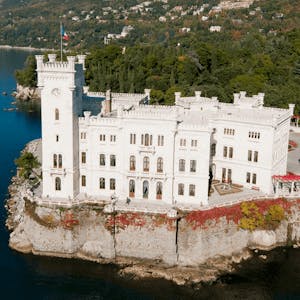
(259, 53)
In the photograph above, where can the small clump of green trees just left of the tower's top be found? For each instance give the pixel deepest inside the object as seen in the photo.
(27, 76)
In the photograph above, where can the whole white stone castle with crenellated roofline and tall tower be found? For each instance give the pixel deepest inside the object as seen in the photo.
(114, 145)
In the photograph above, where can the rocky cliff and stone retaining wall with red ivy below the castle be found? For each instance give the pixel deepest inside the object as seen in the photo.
(190, 248)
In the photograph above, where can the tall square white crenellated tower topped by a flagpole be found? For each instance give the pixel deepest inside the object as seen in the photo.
(61, 85)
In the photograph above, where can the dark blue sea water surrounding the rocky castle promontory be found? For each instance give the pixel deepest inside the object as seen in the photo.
(35, 277)
